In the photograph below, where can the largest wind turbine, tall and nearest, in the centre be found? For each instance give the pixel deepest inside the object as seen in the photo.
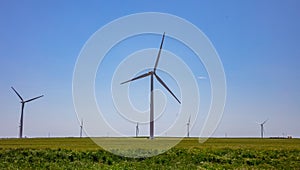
(153, 74)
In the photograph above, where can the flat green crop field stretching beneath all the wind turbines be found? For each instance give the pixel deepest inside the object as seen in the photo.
(215, 153)
